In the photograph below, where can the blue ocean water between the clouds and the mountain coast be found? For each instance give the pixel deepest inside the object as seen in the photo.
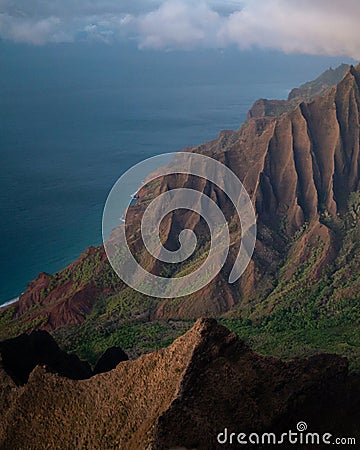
(74, 117)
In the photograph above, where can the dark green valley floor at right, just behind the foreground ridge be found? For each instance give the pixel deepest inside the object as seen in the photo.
(302, 330)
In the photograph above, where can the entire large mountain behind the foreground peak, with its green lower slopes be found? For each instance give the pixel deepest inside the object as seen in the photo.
(299, 161)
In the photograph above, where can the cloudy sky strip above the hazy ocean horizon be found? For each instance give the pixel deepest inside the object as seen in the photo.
(316, 27)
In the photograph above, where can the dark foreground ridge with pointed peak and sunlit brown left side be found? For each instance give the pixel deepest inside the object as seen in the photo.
(181, 397)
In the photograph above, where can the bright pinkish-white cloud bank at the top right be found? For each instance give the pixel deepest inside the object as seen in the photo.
(315, 27)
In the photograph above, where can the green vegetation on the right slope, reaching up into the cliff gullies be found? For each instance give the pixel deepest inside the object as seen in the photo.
(302, 316)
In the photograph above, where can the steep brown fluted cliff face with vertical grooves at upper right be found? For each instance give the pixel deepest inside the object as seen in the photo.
(304, 162)
